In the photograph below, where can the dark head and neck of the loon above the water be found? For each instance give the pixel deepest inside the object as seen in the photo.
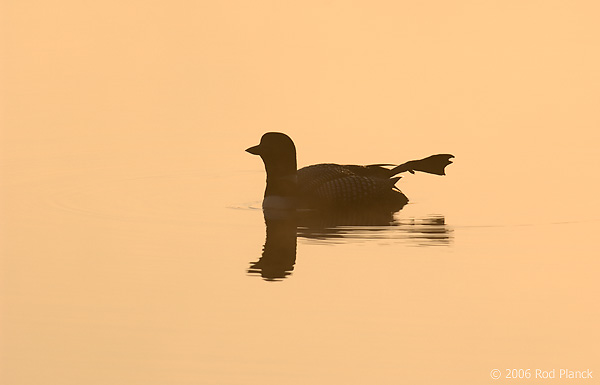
(279, 156)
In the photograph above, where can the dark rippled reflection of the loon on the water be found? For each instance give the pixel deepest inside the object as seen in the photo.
(283, 227)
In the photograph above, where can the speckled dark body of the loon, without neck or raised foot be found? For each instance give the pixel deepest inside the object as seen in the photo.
(335, 185)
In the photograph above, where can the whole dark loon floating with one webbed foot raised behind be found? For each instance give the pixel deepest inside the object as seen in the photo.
(333, 186)
